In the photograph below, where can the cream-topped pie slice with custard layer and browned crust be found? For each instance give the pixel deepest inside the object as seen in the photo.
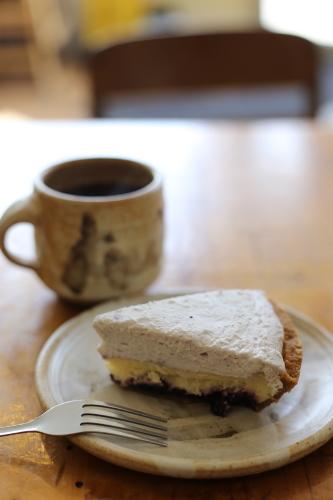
(230, 346)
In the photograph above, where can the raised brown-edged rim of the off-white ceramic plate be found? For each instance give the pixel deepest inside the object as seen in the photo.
(171, 466)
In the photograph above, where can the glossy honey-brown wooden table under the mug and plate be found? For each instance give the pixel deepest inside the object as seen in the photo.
(247, 206)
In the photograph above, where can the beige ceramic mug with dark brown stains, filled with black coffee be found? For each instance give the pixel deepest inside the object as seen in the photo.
(98, 228)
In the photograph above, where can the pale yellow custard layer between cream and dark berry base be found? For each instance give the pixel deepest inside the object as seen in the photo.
(196, 383)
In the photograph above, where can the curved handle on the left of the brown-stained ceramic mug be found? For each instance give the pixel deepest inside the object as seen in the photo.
(21, 211)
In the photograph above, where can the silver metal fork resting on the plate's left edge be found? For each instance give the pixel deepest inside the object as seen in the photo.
(83, 416)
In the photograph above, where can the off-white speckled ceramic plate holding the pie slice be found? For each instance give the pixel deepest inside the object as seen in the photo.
(201, 444)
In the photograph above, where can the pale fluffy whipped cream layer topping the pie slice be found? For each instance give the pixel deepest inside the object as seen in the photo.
(233, 333)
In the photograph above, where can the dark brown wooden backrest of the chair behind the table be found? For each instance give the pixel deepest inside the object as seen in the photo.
(242, 59)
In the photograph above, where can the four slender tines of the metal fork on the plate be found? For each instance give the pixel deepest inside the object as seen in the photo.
(118, 420)
